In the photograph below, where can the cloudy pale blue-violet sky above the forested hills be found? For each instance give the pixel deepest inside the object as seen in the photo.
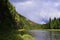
(38, 11)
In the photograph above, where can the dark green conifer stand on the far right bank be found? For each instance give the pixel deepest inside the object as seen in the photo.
(53, 24)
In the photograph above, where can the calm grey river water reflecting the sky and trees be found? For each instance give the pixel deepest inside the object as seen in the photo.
(45, 35)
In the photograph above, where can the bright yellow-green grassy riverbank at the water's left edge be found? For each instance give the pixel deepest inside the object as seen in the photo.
(25, 35)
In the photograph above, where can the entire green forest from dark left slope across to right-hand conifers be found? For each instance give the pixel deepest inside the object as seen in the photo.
(11, 23)
